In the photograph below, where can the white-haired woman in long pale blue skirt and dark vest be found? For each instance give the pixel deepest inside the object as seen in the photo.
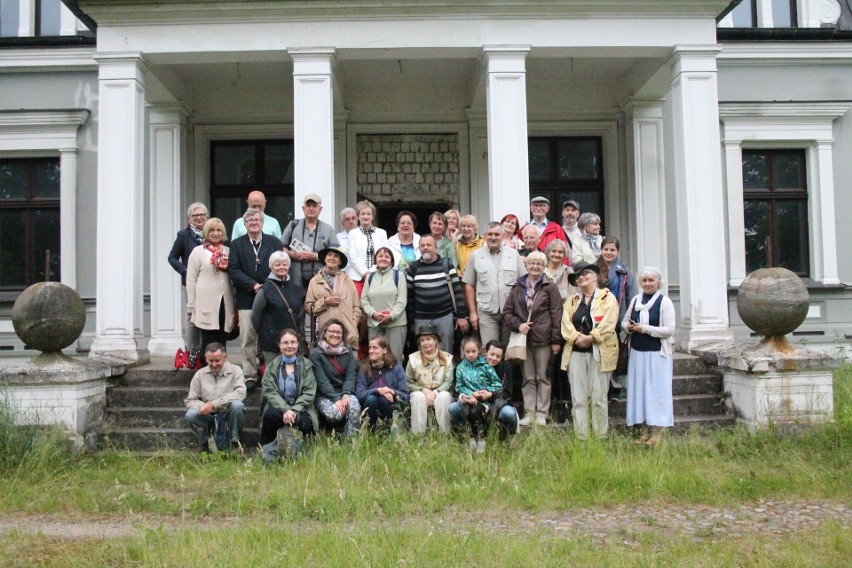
(650, 321)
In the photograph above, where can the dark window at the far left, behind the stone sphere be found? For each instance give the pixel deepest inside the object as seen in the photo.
(29, 221)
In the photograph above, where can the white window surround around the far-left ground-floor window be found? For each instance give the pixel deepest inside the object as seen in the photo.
(51, 133)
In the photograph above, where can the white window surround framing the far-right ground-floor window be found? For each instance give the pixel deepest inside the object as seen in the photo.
(808, 126)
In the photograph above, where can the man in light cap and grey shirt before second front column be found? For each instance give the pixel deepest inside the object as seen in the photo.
(304, 238)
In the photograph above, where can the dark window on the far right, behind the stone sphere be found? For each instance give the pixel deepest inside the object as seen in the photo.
(775, 198)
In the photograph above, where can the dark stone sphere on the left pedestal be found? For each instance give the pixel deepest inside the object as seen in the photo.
(48, 316)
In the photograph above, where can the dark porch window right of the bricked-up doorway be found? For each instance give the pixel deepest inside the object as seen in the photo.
(564, 168)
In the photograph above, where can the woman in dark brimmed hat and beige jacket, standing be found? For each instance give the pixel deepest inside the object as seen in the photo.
(332, 294)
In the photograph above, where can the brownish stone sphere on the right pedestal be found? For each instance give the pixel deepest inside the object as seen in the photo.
(773, 302)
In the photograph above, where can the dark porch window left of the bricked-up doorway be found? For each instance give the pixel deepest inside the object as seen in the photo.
(240, 166)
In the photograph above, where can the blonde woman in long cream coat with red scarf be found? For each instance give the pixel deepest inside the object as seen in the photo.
(209, 300)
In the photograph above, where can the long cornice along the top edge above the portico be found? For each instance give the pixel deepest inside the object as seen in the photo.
(134, 12)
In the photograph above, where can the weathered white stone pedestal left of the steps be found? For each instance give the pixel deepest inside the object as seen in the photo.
(54, 389)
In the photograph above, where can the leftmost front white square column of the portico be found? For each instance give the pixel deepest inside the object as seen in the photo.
(120, 212)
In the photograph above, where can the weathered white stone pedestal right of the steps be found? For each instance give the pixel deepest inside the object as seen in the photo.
(787, 389)
